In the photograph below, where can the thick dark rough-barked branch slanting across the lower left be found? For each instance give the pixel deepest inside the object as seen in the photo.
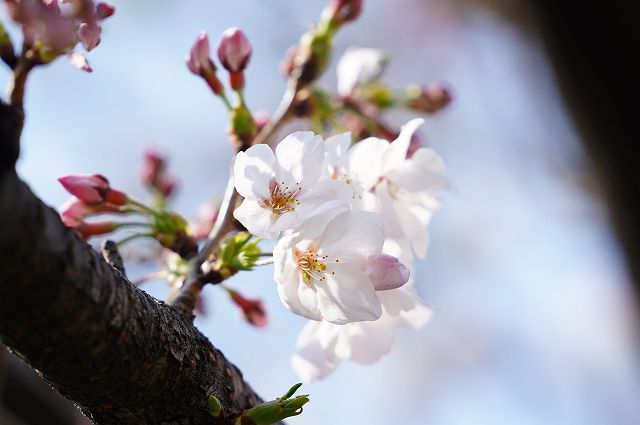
(121, 355)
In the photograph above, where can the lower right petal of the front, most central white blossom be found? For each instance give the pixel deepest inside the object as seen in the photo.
(347, 296)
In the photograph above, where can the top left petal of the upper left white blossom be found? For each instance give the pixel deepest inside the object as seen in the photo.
(253, 170)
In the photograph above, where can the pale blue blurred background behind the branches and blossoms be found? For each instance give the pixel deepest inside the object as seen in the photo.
(534, 316)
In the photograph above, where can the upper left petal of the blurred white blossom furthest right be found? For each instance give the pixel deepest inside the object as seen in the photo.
(365, 161)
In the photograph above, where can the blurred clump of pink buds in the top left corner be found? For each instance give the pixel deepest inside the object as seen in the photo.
(49, 32)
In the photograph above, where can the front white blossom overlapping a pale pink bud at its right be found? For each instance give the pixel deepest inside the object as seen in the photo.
(321, 267)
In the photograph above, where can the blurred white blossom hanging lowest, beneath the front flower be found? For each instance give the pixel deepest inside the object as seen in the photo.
(321, 345)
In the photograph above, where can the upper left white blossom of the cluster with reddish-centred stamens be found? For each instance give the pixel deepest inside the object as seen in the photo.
(279, 191)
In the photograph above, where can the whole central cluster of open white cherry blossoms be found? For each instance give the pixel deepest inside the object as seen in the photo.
(348, 219)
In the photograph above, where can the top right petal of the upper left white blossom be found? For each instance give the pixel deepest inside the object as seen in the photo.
(301, 158)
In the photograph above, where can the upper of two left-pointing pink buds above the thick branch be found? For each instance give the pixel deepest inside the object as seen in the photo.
(92, 189)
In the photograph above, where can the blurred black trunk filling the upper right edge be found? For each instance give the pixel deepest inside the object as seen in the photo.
(595, 50)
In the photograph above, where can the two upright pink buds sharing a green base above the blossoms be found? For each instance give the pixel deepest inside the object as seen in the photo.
(234, 52)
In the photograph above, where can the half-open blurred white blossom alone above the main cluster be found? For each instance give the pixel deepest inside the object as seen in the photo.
(359, 66)
